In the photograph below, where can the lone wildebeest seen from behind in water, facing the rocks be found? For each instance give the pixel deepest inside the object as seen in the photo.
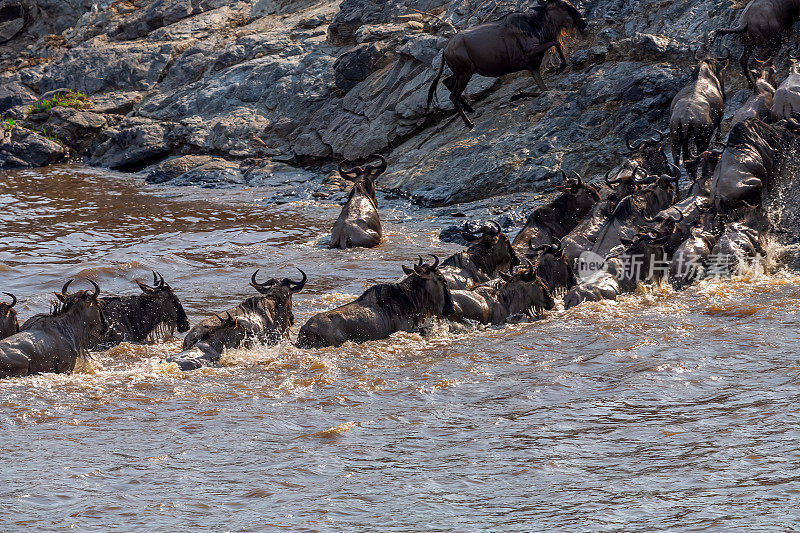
(359, 225)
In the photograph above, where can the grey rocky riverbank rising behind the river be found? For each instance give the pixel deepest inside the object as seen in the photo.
(216, 93)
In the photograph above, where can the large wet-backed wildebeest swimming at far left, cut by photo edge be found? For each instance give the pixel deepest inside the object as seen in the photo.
(53, 342)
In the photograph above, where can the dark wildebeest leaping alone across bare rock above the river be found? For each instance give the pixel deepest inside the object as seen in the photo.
(518, 41)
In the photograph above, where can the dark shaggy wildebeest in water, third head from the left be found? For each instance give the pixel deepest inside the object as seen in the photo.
(137, 318)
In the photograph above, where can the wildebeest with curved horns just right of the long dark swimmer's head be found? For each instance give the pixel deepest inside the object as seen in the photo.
(490, 252)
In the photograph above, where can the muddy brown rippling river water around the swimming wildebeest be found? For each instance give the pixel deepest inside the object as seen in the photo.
(660, 411)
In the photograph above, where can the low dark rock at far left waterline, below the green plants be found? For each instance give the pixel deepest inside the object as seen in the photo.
(20, 147)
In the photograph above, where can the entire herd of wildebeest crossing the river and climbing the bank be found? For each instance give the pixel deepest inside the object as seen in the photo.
(591, 242)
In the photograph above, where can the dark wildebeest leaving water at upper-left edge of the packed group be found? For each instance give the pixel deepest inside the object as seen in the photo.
(556, 219)
